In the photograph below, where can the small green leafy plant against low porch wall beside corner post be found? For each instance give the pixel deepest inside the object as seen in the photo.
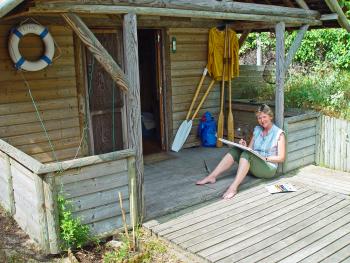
(72, 233)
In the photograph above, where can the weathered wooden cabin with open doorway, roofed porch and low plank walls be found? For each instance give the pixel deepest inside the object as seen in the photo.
(120, 83)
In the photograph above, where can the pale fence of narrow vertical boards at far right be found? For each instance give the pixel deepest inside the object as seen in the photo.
(334, 145)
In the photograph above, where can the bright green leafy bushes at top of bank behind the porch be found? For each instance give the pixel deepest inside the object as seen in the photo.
(331, 46)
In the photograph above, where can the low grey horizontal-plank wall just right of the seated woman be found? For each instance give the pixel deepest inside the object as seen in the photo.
(301, 142)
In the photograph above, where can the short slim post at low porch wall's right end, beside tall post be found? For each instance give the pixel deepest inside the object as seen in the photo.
(134, 215)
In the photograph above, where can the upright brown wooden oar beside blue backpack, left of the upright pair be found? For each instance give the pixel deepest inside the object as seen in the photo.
(220, 133)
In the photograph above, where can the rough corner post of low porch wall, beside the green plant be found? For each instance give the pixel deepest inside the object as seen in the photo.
(50, 194)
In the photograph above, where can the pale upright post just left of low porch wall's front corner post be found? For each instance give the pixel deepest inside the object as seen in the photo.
(44, 240)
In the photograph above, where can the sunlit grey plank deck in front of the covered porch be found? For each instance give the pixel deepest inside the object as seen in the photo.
(310, 225)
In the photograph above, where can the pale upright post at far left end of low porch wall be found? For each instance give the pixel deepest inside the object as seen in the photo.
(10, 206)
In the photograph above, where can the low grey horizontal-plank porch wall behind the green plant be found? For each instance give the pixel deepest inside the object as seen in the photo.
(93, 193)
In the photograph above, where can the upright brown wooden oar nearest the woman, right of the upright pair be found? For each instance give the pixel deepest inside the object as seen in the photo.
(230, 122)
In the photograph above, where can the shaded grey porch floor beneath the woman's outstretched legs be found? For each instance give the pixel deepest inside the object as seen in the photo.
(170, 184)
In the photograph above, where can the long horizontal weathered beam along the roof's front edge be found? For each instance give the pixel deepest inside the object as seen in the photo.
(226, 6)
